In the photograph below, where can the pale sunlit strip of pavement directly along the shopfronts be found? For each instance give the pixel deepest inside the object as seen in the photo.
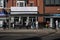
(44, 30)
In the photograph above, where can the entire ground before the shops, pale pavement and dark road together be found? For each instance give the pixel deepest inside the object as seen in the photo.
(41, 34)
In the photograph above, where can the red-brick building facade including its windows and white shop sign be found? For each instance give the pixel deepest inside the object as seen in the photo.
(40, 10)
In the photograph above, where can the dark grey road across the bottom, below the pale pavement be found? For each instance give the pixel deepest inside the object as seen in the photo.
(29, 36)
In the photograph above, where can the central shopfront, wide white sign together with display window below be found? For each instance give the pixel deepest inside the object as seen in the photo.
(24, 17)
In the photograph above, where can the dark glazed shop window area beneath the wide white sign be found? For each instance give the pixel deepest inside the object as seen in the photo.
(28, 22)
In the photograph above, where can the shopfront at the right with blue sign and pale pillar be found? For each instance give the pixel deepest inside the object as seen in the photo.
(52, 20)
